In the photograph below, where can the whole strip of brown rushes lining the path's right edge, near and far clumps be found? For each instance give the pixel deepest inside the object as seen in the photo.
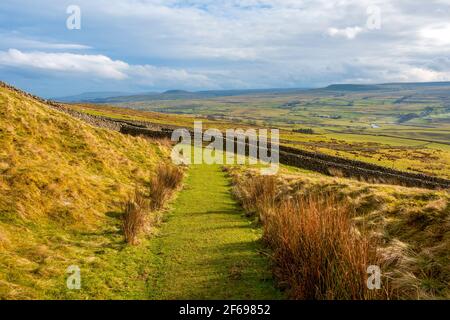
(317, 250)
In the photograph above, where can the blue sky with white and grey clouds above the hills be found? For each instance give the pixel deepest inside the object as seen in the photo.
(155, 45)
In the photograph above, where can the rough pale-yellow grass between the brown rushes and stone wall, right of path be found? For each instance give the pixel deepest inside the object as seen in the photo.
(411, 227)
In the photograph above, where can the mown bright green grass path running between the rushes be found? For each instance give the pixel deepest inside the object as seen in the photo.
(207, 249)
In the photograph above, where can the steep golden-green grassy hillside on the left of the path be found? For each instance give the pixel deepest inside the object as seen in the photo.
(62, 187)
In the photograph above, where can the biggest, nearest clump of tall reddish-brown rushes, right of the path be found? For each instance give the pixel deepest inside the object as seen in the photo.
(317, 252)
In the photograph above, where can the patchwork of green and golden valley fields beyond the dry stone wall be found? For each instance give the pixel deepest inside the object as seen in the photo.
(402, 127)
